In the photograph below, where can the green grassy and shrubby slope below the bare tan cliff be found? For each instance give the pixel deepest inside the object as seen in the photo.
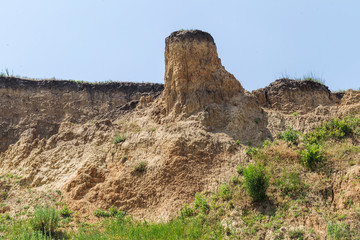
(296, 187)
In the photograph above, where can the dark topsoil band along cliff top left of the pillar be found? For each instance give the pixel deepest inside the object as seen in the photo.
(128, 87)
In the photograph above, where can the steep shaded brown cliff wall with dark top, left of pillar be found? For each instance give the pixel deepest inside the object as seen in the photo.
(44, 105)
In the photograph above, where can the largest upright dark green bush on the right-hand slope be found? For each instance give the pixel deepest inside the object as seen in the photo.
(256, 181)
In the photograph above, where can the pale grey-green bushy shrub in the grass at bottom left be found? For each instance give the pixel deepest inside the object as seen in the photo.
(45, 220)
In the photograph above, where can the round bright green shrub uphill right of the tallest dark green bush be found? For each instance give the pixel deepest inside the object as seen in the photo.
(311, 156)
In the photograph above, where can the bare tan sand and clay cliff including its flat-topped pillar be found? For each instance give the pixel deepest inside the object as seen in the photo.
(59, 135)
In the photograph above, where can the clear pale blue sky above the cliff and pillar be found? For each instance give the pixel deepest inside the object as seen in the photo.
(258, 41)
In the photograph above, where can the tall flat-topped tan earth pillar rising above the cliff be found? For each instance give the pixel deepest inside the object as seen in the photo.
(194, 76)
